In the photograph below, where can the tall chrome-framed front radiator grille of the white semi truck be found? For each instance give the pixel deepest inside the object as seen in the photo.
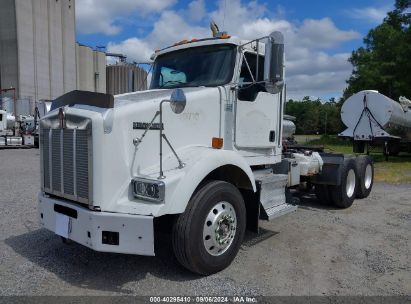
(66, 164)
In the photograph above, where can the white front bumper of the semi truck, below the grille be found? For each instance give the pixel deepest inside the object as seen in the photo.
(133, 234)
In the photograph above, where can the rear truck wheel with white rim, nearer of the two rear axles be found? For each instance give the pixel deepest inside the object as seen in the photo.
(343, 195)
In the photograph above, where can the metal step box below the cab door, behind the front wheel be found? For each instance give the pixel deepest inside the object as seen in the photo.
(272, 194)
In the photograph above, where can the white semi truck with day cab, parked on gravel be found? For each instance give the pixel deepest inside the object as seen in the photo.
(199, 153)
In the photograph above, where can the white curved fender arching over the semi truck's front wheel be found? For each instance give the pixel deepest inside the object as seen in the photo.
(200, 161)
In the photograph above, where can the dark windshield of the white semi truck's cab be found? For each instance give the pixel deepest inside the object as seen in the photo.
(200, 66)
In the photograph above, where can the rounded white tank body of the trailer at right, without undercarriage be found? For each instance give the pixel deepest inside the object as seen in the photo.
(370, 116)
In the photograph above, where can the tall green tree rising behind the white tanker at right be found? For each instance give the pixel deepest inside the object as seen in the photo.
(384, 63)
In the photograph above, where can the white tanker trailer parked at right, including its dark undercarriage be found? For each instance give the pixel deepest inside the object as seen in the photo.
(372, 119)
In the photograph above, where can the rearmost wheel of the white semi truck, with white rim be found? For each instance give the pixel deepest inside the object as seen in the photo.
(365, 177)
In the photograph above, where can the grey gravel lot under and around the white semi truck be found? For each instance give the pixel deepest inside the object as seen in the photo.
(364, 250)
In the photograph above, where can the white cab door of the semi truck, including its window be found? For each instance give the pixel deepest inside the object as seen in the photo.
(257, 112)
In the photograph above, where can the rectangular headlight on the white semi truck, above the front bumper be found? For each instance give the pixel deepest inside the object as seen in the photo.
(149, 190)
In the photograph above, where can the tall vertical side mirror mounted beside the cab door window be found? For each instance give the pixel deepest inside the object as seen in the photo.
(274, 62)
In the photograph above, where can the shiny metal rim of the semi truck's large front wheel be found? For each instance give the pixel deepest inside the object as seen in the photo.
(219, 228)
